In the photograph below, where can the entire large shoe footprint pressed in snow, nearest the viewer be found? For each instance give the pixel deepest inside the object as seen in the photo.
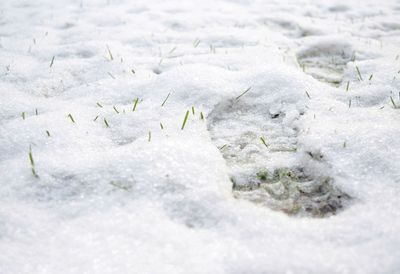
(261, 151)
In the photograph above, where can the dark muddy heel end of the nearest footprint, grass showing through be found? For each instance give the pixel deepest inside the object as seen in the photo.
(293, 192)
